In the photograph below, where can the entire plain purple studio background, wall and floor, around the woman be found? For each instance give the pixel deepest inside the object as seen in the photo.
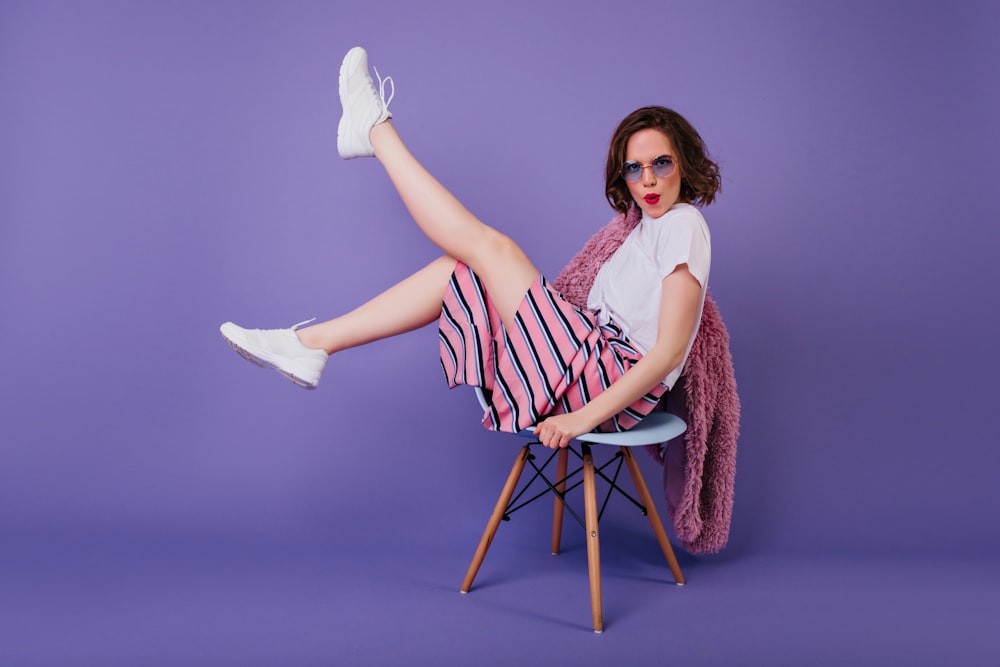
(166, 166)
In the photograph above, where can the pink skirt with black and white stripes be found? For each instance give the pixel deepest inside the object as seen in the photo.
(556, 358)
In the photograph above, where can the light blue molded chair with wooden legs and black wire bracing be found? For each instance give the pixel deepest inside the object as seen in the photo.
(658, 427)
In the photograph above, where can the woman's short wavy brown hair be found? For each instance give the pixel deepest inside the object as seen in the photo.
(700, 180)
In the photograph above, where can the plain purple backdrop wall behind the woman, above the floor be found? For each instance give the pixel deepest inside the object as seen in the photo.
(168, 166)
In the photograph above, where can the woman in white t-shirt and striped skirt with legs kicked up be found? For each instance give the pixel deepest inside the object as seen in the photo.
(543, 362)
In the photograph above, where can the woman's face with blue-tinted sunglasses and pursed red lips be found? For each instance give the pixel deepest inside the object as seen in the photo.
(653, 194)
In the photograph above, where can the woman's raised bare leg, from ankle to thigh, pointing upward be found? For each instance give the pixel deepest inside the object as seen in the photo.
(503, 267)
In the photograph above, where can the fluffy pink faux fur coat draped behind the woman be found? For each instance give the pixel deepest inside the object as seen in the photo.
(699, 477)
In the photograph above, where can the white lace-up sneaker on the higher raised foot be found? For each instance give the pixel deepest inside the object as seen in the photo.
(364, 105)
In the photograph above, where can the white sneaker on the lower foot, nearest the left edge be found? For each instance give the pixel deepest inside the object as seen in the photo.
(279, 349)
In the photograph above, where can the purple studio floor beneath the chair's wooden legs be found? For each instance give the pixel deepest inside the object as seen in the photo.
(184, 599)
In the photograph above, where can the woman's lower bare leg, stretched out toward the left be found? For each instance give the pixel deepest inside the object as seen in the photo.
(409, 304)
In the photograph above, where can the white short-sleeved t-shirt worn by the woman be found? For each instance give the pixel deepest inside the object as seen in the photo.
(627, 289)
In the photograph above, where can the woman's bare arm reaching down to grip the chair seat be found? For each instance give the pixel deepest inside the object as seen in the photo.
(679, 301)
